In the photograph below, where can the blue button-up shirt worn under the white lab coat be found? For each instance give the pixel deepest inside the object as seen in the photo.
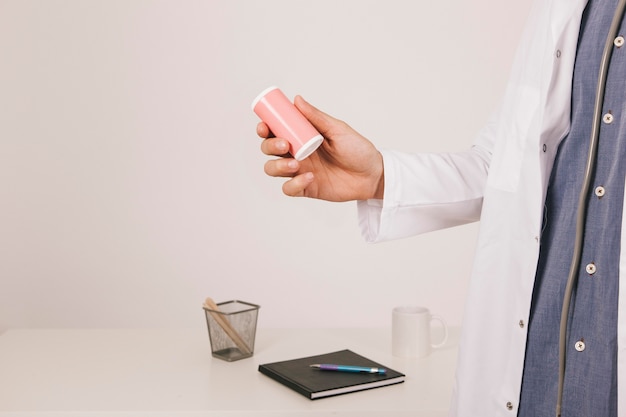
(591, 369)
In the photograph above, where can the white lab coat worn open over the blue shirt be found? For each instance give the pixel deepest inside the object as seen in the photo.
(502, 181)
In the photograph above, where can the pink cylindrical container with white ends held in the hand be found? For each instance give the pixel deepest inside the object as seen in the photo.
(285, 121)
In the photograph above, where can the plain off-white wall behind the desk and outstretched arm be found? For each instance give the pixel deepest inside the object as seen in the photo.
(131, 181)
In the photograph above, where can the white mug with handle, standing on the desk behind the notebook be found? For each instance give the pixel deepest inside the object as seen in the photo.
(411, 330)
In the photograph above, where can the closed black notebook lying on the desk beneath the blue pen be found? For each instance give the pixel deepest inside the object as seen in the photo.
(314, 383)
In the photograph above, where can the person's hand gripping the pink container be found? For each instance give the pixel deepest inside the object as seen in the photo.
(345, 167)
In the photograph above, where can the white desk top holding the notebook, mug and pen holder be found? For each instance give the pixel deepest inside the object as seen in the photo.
(165, 372)
